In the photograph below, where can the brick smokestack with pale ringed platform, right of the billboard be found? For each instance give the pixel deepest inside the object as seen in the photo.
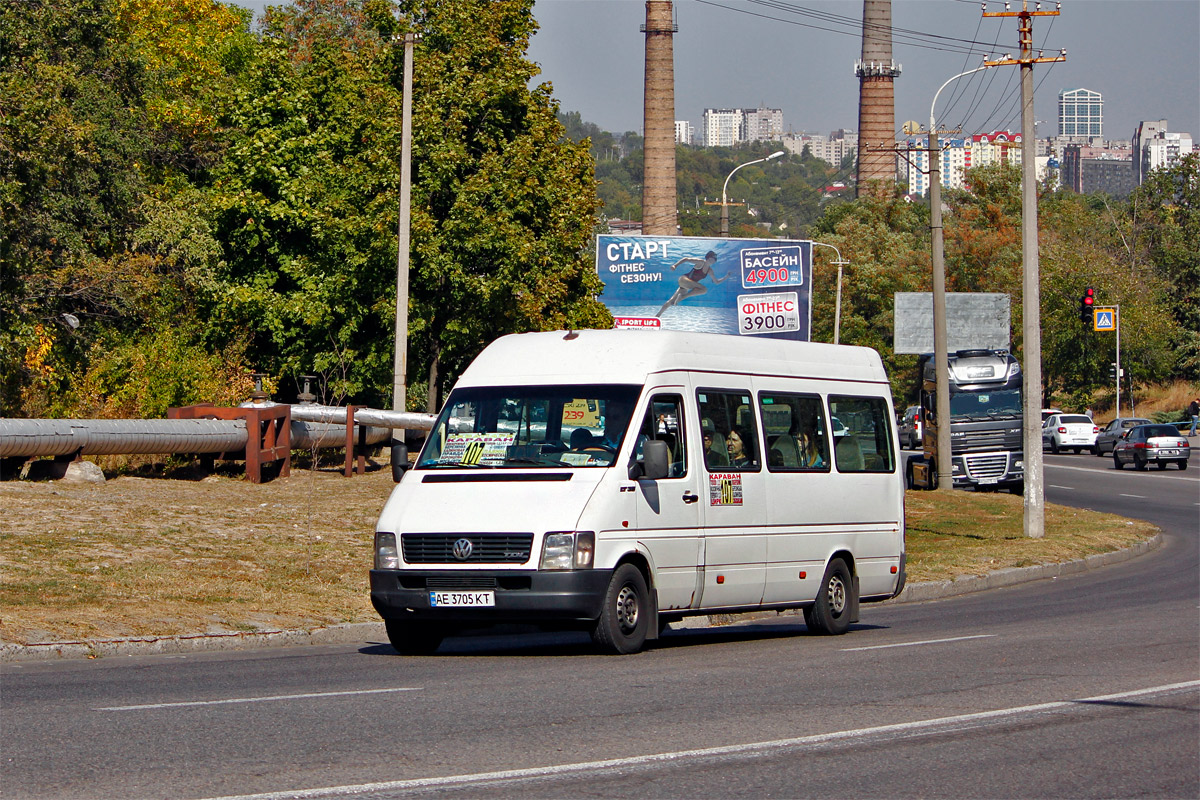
(877, 103)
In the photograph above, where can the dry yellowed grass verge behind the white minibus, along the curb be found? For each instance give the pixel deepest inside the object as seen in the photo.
(157, 557)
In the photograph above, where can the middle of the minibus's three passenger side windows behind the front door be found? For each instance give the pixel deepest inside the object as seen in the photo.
(796, 432)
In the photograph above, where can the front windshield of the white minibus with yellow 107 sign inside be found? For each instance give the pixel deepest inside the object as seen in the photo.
(489, 428)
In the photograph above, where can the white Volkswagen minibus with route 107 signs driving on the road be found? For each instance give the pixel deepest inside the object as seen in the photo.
(616, 482)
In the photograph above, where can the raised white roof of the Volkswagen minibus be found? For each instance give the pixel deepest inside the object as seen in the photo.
(622, 357)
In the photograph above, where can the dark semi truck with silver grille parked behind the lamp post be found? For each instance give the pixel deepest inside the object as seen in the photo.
(986, 423)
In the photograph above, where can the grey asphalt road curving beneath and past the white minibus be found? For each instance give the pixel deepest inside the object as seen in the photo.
(1082, 687)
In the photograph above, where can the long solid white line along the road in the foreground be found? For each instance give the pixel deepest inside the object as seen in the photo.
(764, 748)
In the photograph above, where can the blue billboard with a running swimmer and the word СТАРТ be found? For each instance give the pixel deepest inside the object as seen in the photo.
(749, 287)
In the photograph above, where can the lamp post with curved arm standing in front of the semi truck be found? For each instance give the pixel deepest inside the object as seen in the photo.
(941, 365)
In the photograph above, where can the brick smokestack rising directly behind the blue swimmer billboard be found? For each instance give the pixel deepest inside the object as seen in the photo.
(658, 169)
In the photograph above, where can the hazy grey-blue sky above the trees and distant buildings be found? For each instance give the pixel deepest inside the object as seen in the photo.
(1142, 56)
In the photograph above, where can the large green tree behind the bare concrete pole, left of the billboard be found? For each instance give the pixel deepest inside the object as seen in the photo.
(503, 204)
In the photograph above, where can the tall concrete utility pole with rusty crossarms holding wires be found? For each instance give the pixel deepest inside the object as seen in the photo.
(1031, 305)
